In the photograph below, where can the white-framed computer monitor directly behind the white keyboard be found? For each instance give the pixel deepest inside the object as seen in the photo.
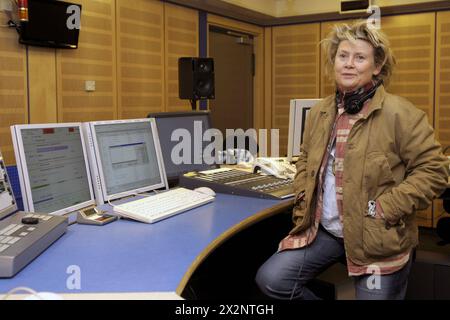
(125, 157)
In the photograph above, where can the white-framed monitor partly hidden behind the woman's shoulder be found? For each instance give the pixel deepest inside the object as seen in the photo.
(298, 111)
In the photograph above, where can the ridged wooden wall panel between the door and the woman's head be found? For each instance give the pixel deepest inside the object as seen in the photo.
(295, 71)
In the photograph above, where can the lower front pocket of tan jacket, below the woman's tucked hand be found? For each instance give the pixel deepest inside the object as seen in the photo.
(380, 241)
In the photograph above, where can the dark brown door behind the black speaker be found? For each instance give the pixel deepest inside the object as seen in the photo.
(233, 57)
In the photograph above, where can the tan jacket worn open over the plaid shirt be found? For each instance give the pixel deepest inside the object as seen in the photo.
(391, 156)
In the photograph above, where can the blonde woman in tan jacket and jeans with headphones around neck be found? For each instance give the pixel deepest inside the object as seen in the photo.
(369, 162)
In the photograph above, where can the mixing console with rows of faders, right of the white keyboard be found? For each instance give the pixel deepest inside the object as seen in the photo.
(238, 182)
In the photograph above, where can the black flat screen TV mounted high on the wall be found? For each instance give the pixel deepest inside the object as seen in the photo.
(51, 24)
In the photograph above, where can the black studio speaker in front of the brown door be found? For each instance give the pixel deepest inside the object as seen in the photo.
(196, 78)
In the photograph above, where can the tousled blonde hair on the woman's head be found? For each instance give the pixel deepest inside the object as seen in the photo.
(360, 30)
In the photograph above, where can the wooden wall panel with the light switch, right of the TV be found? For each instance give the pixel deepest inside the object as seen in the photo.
(95, 59)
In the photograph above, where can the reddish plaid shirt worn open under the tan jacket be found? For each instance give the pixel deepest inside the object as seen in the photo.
(341, 130)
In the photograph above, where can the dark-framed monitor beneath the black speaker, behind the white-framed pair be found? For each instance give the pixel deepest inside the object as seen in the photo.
(193, 122)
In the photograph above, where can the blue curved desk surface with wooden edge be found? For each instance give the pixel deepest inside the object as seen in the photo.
(129, 256)
